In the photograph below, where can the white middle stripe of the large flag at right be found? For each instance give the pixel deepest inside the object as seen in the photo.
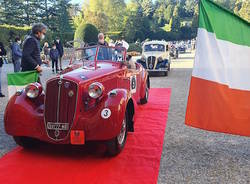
(222, 61)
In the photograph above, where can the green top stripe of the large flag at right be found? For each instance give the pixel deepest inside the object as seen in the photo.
(226, 25)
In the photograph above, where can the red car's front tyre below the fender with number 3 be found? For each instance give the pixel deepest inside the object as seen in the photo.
(116, 145)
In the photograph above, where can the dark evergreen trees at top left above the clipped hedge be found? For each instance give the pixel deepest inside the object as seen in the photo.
(53, 13)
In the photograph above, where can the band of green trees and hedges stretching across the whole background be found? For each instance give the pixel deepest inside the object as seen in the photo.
(133, 20)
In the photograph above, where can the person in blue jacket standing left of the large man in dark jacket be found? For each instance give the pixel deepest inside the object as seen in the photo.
(16, 54)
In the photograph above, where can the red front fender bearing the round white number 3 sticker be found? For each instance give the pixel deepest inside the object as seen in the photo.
(99, 127)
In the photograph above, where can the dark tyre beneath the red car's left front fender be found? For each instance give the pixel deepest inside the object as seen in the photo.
(26, 142)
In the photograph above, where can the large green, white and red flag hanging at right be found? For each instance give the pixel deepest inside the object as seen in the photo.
(219, 97)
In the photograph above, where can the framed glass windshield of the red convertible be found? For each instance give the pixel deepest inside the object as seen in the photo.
(116, 54)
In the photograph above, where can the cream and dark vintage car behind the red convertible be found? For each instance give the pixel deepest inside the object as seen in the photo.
(155, 56)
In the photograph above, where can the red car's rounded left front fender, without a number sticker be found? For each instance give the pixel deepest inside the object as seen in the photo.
(23, 116)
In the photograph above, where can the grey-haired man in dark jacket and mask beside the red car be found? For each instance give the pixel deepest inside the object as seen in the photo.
(31, 59)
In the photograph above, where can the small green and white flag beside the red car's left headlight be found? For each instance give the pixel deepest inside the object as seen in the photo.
(18, 81)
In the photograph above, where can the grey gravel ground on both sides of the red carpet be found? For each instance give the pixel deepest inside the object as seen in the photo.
(189, 155)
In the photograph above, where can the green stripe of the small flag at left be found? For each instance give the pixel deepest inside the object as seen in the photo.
(22, 78)
